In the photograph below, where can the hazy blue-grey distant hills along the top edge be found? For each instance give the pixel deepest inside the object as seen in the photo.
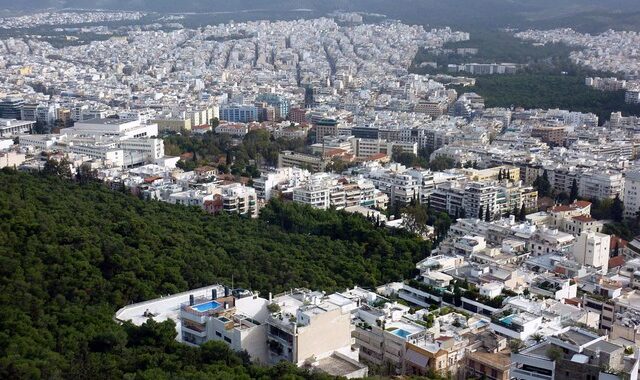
(469, 13)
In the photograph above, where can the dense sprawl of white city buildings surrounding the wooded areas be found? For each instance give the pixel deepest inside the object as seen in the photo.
(526, 283)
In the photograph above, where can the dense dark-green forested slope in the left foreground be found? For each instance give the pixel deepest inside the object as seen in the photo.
(71, 255)
